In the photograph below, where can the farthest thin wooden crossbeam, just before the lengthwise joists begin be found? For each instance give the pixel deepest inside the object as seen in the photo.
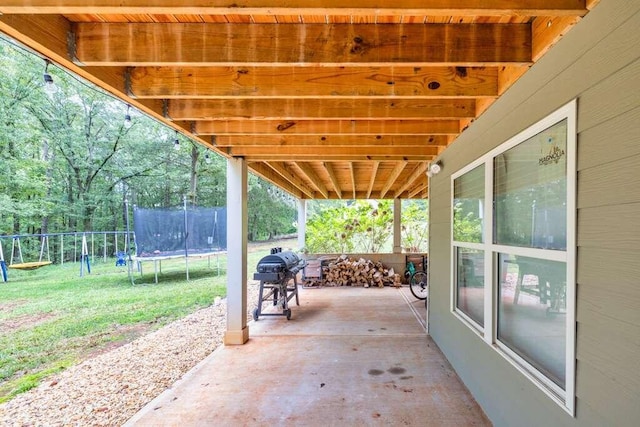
(319, 152)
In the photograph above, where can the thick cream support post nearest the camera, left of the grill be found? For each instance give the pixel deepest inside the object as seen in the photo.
(237, 230)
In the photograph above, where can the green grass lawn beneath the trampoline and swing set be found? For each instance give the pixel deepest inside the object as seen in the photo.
(51, 318)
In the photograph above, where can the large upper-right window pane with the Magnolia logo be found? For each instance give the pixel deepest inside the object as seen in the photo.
(530, 191)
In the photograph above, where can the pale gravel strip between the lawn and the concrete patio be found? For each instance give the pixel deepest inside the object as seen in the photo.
(109, 389)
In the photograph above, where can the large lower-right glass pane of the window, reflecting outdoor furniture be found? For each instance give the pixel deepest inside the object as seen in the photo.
(531, 312)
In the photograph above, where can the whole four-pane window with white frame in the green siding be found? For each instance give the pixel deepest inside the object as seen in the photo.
(514, 274)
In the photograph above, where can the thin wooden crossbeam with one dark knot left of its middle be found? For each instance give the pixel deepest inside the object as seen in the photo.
(327, 127)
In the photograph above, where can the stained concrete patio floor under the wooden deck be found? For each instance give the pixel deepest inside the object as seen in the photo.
(348, 357)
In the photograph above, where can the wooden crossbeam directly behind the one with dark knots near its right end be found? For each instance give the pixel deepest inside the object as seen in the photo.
(298, 109)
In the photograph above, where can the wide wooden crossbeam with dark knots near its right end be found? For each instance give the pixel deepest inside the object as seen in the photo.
(330, 82)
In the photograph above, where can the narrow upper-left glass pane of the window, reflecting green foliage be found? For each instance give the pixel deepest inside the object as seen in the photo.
(468, 203)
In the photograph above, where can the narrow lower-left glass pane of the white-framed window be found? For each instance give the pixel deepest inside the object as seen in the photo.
(470, 283)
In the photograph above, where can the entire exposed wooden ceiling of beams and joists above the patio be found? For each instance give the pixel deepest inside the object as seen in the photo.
(325, 99)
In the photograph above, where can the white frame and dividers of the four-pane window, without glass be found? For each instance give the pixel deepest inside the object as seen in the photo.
(563, 397)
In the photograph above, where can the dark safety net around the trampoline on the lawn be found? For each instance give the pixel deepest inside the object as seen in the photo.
(168, 232)
